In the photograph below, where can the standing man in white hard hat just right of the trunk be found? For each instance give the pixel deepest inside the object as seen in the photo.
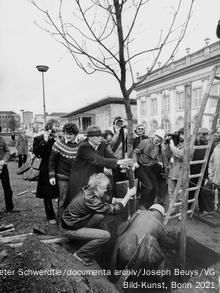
(146, 157)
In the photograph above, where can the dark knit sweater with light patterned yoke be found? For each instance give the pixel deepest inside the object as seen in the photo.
(61, 158)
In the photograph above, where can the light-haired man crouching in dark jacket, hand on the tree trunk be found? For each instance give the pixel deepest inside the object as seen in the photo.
(86, 211)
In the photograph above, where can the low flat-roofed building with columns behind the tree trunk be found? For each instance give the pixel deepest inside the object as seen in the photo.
(101, 113)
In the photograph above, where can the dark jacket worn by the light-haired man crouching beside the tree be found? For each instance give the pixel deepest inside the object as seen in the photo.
(84, 206)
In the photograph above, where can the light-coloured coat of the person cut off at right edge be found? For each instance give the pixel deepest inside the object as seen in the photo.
(214, 166)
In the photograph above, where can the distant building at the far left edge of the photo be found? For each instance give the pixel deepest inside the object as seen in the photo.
(9, 119)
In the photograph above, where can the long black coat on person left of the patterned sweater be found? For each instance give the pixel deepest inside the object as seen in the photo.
(42, 149)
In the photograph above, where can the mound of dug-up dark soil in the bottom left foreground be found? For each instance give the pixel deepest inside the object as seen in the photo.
(38, 267)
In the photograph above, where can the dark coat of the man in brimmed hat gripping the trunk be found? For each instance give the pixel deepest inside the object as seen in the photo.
(88, 162)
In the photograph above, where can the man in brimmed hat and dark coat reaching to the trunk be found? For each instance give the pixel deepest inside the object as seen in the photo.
(92, 156)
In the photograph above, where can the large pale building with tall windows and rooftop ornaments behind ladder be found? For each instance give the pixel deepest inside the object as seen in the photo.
(160, 98)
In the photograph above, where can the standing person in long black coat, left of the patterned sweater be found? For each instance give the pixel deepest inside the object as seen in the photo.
(42, 147)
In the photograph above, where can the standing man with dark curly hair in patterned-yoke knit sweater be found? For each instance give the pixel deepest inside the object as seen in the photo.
(61, 157)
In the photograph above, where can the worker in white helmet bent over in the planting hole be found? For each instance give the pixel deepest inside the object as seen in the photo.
(139, 239)
